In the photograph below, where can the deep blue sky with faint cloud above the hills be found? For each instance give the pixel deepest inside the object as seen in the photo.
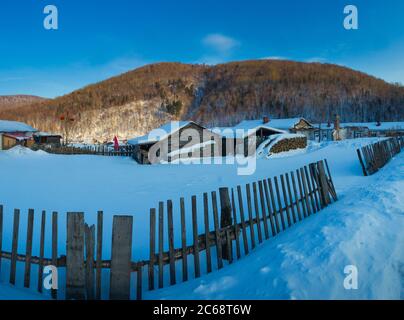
(101, 38)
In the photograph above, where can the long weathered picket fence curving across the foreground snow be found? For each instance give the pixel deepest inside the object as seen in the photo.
(243, 217)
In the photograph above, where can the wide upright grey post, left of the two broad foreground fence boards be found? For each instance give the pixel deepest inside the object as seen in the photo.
(75, 273)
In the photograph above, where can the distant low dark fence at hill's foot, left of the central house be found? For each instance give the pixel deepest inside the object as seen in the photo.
(100, 150)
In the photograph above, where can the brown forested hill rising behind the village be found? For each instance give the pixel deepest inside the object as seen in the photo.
(142, 99)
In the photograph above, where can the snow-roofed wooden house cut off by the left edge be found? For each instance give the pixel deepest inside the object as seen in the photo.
(14, 133)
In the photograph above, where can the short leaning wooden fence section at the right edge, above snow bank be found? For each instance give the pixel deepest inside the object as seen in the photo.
(375, 156)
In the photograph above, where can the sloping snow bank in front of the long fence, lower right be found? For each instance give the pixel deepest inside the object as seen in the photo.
(364, 228)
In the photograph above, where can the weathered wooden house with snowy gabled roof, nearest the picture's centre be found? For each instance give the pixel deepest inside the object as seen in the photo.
(175, 140)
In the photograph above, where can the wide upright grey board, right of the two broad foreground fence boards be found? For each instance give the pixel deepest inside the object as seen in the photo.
(121, 258)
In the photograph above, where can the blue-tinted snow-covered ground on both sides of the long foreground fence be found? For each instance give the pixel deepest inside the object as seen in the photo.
(307, 261)
